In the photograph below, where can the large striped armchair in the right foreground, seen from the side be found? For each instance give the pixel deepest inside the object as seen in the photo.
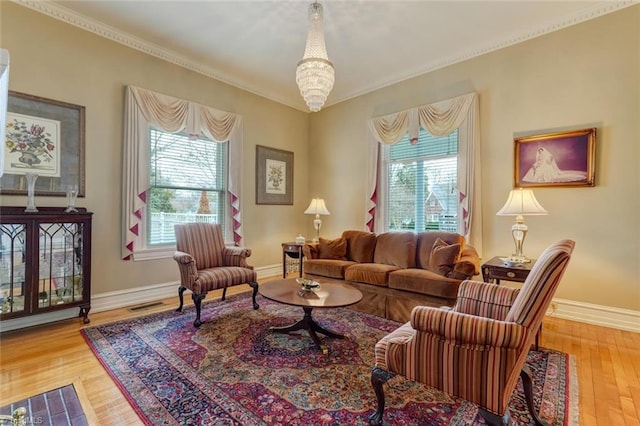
(477, 349)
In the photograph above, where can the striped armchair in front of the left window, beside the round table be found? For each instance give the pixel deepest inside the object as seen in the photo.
(206, 264)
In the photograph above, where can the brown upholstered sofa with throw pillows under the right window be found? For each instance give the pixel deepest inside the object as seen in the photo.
(395, 271)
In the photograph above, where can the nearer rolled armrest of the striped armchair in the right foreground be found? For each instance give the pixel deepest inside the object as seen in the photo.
(467, 330)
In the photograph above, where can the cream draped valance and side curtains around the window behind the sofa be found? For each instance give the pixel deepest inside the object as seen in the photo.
(439, 119)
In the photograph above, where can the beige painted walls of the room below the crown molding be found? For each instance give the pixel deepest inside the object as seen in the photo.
(583, 76)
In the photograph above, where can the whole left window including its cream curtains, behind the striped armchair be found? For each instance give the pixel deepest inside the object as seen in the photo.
(179, 157)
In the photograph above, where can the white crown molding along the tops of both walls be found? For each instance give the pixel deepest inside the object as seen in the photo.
(70, 17)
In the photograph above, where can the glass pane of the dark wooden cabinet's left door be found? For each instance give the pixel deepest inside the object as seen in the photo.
(12, 267)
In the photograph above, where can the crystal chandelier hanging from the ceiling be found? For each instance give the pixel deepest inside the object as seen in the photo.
(315, 74)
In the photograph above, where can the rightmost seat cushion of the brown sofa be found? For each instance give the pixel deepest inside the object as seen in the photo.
(424, 282)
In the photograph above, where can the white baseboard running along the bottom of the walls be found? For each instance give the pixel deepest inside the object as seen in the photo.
(622, 319)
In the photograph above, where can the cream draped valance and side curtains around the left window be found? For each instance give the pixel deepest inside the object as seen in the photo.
(144, 109)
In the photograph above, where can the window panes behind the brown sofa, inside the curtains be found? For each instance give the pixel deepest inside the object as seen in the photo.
(421, 182)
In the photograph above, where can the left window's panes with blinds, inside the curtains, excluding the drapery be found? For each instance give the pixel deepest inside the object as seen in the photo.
(188, 183)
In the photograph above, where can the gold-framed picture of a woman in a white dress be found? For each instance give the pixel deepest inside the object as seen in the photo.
(555, 159)
